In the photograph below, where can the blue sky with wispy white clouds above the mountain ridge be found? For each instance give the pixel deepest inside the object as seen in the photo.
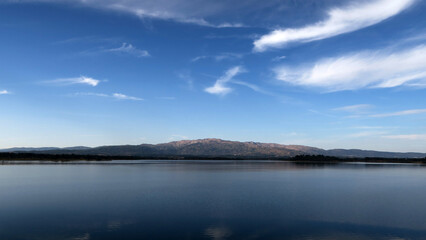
(323, 73)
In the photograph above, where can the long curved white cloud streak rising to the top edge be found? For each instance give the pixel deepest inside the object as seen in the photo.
(340, 20)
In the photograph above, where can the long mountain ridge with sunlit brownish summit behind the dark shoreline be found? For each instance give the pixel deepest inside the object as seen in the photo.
(215, 148)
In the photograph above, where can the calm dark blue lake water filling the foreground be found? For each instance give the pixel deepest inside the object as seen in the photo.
(212, 200)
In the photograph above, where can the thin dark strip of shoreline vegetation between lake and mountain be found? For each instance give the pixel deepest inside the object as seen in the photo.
(13, 156)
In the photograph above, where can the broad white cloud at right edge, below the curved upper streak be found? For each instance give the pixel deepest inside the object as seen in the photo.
(368, 69)
